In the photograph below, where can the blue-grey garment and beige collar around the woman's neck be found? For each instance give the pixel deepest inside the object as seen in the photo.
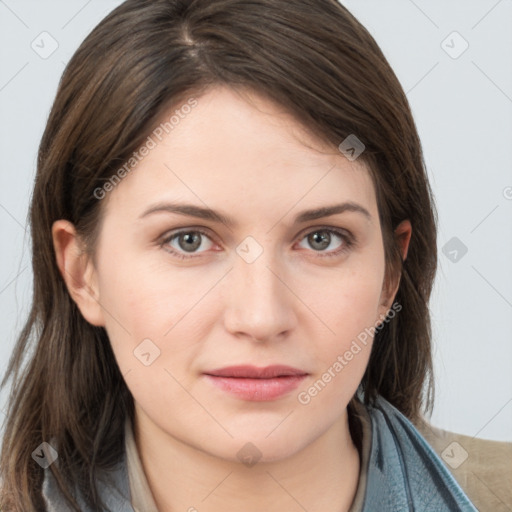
(399, 472)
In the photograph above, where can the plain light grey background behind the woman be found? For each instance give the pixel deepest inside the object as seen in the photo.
(462, 108)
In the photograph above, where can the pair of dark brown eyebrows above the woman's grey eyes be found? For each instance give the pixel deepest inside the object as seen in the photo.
(192, 210)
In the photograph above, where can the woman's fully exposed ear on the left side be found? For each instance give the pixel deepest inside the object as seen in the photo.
(77, 270)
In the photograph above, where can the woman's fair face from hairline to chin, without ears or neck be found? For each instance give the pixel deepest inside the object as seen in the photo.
(185, 295)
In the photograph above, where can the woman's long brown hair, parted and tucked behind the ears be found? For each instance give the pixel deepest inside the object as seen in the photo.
(310, 56)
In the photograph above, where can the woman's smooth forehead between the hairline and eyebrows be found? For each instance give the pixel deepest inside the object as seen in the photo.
(240, 152)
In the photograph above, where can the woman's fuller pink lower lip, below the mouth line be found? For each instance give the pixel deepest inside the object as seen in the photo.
(257, 390)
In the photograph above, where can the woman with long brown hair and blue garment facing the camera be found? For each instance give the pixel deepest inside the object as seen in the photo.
(234, 245)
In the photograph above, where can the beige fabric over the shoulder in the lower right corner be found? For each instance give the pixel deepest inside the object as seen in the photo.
(483, 468)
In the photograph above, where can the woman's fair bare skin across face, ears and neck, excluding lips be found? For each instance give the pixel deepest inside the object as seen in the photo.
(291, 305)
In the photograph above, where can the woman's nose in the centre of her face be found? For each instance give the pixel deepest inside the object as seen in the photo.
(259, 301)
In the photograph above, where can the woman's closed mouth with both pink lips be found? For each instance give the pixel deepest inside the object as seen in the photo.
(256, 384)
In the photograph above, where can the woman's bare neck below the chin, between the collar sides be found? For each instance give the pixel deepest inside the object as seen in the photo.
(322, 476)
